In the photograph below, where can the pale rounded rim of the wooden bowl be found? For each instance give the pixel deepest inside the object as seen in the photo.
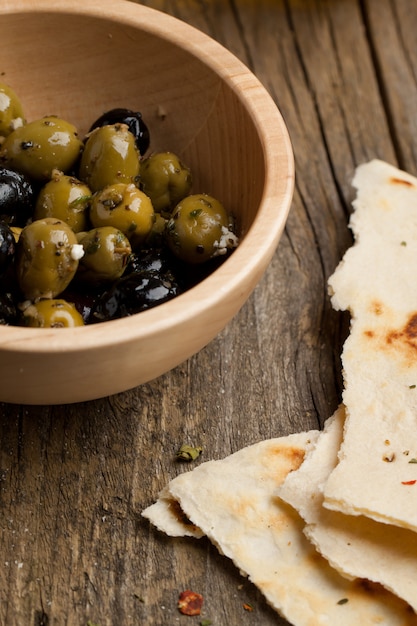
(267, 226)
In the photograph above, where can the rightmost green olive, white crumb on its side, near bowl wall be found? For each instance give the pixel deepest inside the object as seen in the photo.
(196, 228)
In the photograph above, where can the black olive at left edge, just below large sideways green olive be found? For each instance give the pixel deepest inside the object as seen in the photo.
(16, 197)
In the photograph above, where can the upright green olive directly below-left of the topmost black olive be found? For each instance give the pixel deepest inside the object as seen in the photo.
(110, 156)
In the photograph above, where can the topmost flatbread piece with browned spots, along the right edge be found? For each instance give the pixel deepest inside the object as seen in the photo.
(377, 471)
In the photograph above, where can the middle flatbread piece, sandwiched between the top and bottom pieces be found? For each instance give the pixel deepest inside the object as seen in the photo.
(355, 546)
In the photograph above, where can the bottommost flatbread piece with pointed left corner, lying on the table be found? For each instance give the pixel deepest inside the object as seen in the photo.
(233, 502)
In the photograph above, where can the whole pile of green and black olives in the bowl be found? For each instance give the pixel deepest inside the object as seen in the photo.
(95, 229)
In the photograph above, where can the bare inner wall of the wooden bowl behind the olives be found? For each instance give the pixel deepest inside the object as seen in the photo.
(77, 66)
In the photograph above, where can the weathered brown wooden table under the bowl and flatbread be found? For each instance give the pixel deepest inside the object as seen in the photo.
(74, 479)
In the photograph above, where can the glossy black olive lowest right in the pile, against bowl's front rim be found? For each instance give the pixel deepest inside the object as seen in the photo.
(134, 293)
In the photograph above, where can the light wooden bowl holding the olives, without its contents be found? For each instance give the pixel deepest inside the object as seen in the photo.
(79, 59)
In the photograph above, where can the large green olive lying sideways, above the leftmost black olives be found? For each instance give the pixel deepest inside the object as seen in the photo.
(41, 146)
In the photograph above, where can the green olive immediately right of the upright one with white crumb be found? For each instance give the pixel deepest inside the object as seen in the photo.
(106, 254)
